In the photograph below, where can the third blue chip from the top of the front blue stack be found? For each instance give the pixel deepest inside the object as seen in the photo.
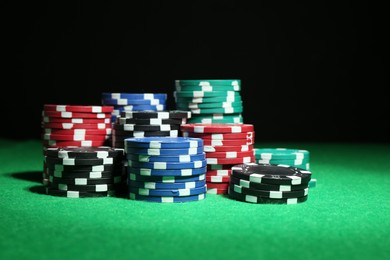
(159, 158)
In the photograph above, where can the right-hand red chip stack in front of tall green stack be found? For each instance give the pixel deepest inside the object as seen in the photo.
(225, 145)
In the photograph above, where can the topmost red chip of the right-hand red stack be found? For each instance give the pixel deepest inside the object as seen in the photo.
(217, 128)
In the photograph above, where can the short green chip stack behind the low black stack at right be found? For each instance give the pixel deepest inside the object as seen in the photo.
(293, 157)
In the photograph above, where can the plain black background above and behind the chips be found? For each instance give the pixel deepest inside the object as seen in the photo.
(309, 71)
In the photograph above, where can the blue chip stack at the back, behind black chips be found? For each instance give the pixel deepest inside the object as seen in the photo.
(134, 102)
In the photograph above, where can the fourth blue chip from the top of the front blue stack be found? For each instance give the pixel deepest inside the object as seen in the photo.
(168, 165)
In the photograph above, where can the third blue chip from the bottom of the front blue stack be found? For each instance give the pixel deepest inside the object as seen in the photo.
(162, 185)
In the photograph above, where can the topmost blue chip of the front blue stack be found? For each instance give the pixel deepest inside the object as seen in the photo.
(164, 143)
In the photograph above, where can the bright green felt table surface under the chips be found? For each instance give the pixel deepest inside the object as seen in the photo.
(347, 215)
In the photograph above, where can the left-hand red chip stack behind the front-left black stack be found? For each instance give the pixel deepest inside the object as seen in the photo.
(75, 125)
